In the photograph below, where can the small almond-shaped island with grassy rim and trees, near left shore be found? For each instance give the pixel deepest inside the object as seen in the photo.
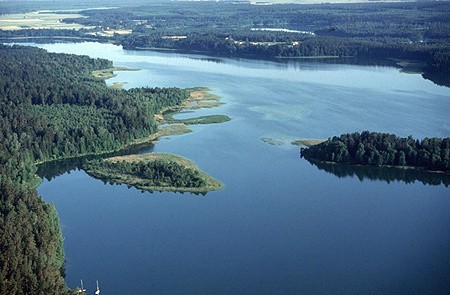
(154, 172)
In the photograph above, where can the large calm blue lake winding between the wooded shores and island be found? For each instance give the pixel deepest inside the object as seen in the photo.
(281, 224)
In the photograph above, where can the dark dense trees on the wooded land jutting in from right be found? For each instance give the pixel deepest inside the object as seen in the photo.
(383, 149)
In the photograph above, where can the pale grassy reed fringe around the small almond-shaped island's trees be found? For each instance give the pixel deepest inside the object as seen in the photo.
(112, 176)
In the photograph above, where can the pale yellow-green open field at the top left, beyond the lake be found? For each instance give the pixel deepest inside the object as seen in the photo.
(42, 19)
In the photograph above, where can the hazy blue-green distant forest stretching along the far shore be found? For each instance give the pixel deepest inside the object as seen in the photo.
(418, 31)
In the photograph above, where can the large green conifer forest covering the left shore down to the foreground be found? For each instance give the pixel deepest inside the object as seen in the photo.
(53, 108)
